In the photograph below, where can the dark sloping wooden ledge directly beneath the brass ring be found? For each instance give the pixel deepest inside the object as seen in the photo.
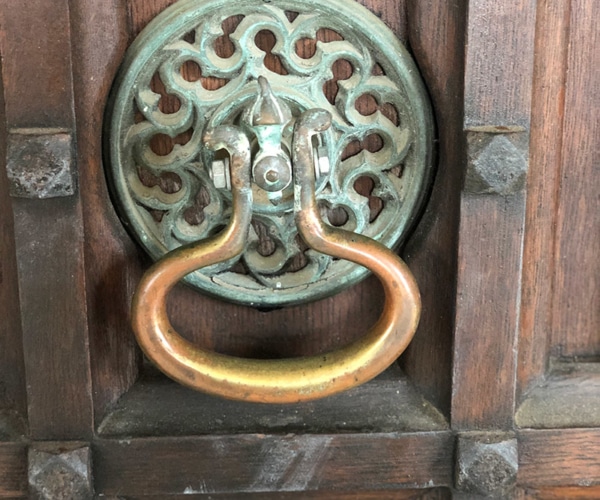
(156, 406)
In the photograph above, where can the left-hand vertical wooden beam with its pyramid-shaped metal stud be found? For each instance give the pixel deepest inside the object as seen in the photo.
(47, 215)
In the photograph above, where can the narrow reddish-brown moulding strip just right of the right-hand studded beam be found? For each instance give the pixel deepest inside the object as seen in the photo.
(539, 259)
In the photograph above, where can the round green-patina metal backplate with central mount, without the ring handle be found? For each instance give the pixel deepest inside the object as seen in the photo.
(276, 269)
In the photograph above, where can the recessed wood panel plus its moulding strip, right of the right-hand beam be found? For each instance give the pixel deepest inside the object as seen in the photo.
(561, 302)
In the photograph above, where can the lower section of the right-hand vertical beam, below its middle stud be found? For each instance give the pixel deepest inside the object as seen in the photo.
(487, 313)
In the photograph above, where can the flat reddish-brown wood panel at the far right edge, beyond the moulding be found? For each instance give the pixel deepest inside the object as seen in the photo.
(577, 288)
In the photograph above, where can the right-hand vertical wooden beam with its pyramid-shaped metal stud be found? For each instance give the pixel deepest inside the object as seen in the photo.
(498, 78)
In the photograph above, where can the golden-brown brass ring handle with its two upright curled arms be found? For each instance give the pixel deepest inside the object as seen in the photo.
(287, 380)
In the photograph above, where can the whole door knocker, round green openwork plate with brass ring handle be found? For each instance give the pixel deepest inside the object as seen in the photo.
(260, 197)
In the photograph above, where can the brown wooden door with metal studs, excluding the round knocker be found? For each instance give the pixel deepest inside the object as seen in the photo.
(499, 393)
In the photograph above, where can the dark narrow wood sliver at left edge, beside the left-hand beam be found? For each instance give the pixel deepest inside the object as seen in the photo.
(12, 375)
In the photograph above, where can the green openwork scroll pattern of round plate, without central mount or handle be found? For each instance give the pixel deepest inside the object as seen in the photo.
(275, 259)
